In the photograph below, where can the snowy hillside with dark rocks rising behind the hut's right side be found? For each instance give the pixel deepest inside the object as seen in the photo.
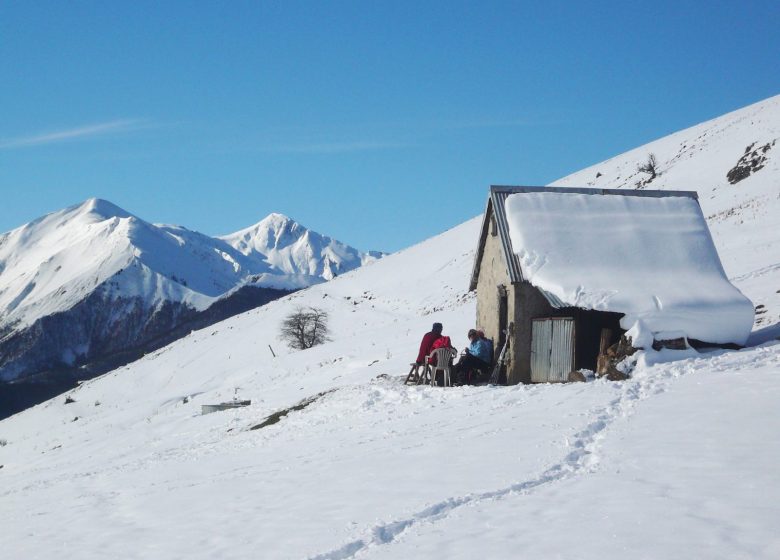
(742, 215)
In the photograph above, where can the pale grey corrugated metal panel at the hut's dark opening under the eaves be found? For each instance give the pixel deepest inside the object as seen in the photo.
(552, 349)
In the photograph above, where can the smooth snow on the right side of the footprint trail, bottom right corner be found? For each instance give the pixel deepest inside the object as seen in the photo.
(669, 469)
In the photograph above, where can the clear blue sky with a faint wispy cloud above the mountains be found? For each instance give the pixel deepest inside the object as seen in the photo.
(379, 123)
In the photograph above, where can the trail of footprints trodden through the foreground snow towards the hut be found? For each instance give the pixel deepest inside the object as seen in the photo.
(581, 460)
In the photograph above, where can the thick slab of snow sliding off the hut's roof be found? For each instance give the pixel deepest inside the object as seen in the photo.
(650, 258)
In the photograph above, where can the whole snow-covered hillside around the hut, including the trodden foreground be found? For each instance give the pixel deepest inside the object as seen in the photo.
(335, 458)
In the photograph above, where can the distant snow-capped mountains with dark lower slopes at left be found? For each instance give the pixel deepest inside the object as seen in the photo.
(93, 280)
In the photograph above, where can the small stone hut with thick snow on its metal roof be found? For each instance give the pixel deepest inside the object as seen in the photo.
(571, 270)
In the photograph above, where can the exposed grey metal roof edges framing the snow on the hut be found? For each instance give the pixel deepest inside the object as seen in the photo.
(495, 206)
